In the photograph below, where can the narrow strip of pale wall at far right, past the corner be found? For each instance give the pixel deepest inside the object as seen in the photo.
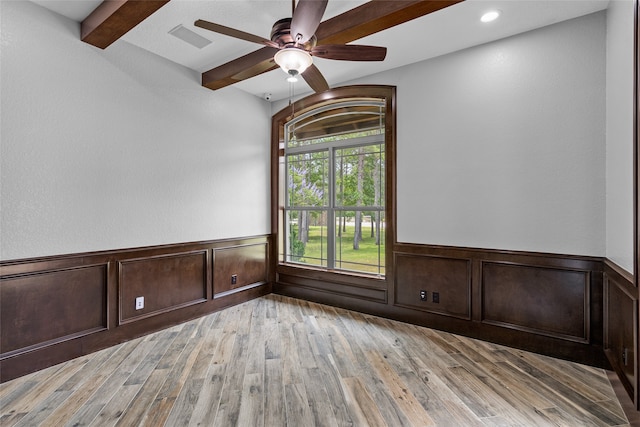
(620, 133)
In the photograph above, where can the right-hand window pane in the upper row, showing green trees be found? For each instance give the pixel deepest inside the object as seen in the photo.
(360, 176)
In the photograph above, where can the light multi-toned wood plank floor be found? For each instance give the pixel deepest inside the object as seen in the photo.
(278, 361)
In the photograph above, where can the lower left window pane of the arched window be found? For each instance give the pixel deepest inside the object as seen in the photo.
(307, 237)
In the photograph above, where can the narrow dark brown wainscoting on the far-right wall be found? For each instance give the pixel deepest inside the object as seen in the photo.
(620, 326)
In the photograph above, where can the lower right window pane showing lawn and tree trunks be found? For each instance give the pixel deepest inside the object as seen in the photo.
(360, 238)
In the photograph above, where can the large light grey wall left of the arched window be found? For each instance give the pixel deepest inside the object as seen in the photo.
(119, 148)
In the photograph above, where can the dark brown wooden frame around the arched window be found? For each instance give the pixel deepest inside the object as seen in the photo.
(387, 94)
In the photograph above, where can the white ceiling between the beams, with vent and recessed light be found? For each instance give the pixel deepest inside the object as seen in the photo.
(454, 28)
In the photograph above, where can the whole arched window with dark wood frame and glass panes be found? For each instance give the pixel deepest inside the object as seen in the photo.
(333, 176)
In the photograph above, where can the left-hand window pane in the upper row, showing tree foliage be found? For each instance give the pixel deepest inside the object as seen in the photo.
(307, 177)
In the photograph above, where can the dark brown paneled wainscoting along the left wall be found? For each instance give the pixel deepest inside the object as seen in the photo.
(57, 308)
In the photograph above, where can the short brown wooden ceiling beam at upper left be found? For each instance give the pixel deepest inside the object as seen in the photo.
(114, 18)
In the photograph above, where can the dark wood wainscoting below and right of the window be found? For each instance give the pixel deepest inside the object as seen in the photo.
(547, 303)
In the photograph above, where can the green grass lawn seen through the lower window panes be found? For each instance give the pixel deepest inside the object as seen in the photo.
(316, 248)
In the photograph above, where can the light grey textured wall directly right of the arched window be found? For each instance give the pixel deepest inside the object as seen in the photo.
(503, 145)
